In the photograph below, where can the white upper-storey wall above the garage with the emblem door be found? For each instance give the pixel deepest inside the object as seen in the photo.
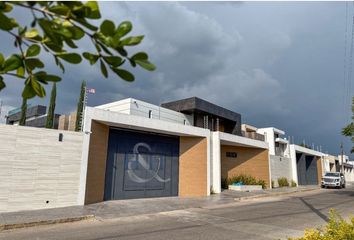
(140, 108)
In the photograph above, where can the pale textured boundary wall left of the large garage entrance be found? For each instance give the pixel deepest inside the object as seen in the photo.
(35, 167)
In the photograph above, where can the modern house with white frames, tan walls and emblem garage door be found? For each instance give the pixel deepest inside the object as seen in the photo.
(183, 148)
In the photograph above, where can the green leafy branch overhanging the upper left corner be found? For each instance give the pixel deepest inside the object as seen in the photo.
(56, 28)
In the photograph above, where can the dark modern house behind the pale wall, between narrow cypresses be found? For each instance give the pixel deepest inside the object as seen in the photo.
(36, 116)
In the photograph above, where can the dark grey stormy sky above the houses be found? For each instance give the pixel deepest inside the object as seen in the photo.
(279, 64)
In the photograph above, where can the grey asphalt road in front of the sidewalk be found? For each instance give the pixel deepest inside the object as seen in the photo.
(276, 218)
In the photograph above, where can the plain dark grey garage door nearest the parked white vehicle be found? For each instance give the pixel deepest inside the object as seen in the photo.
(306, 169)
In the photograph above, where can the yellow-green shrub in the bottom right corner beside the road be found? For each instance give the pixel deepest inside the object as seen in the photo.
(337, 229)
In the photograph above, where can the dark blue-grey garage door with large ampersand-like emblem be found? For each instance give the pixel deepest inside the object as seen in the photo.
(141, 165)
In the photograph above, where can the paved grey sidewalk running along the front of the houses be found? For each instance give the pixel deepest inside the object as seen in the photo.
(125, 208)
